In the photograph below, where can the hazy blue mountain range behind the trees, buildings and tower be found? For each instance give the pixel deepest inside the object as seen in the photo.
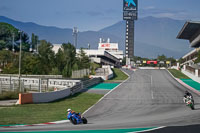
(153, 36)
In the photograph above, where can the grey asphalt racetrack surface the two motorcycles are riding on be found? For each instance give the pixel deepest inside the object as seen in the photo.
(149, 98)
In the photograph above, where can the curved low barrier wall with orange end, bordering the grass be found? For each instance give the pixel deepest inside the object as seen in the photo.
(56, 95)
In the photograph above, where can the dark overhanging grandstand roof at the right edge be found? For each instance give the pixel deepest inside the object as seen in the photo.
(190, 31)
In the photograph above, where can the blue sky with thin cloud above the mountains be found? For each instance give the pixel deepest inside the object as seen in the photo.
(93, 14)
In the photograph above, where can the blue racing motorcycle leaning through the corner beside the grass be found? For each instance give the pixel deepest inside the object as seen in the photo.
(76, 118)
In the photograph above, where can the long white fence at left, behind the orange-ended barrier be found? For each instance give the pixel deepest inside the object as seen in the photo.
(34, 84)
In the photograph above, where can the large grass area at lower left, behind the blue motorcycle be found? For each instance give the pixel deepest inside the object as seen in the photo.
(40, 113)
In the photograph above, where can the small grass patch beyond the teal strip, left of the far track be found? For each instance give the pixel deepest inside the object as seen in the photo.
(118, 75)
